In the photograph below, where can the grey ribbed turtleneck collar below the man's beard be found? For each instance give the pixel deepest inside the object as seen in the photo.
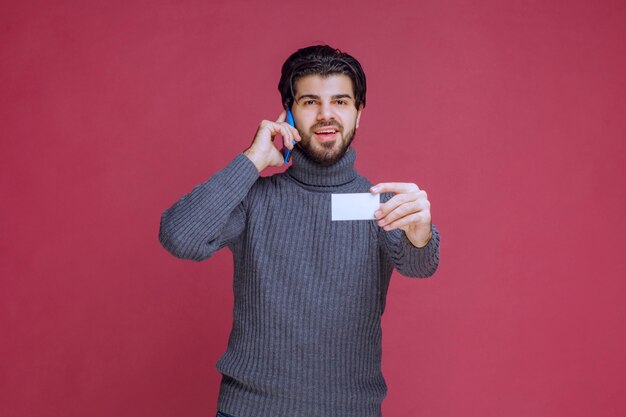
(308, 172)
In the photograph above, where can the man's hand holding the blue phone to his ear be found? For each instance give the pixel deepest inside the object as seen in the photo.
(263, 153)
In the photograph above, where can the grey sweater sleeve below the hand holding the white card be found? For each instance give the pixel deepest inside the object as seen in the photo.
(409, 260)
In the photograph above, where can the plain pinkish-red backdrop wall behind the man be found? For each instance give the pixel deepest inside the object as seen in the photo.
(511, 114)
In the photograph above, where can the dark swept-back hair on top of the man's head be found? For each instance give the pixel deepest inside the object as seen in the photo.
(324, 61)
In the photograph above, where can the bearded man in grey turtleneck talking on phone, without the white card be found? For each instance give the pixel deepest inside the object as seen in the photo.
(309, 292)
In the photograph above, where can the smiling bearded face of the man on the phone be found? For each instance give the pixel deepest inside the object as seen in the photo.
(325, 115)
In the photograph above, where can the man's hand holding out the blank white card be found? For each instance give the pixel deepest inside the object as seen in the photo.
(408, 209)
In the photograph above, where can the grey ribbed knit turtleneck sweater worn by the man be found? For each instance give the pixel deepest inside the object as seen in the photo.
(309, 292)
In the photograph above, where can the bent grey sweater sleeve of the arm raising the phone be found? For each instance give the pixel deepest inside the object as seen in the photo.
(211, 215)
